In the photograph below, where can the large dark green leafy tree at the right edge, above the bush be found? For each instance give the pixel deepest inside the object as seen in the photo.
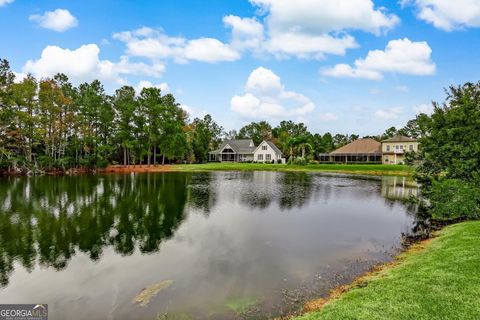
(451, 145)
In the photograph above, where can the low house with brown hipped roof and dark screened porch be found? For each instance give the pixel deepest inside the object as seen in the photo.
(361, 150)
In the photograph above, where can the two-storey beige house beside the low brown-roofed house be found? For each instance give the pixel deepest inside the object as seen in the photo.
(394, 149)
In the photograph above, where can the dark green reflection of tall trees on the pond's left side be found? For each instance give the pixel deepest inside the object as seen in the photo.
(50, 218)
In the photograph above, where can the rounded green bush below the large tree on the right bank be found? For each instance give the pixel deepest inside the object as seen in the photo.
(454, 199)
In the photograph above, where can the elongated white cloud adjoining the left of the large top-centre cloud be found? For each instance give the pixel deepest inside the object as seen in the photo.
(154, 44)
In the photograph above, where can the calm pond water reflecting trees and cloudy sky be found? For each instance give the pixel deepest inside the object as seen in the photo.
(217, 245)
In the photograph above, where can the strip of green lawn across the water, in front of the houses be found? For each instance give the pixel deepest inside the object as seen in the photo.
(377, 169)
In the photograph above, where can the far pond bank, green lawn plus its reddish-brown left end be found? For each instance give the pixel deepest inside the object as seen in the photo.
(373, 169)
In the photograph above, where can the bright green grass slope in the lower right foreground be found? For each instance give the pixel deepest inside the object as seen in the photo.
(440, 282)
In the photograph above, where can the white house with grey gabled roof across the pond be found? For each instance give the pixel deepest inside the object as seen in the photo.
(243, 150)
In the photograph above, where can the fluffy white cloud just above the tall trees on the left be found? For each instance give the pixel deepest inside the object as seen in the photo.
(84, 64)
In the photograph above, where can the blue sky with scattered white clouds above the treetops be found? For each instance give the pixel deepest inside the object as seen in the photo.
(339, 66)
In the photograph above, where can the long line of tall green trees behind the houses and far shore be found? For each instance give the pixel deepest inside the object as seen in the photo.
(51, 125)
